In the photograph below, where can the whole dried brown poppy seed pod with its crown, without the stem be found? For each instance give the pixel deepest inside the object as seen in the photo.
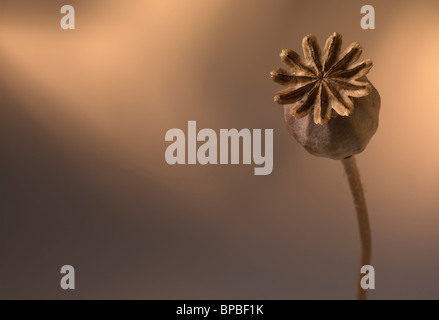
(331, 108)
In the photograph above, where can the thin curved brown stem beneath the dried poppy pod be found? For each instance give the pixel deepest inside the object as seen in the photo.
(353, 175)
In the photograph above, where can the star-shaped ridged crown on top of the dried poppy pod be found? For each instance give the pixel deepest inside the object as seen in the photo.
(322, 84)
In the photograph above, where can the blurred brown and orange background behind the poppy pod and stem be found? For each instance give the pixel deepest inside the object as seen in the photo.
(83, 179)
